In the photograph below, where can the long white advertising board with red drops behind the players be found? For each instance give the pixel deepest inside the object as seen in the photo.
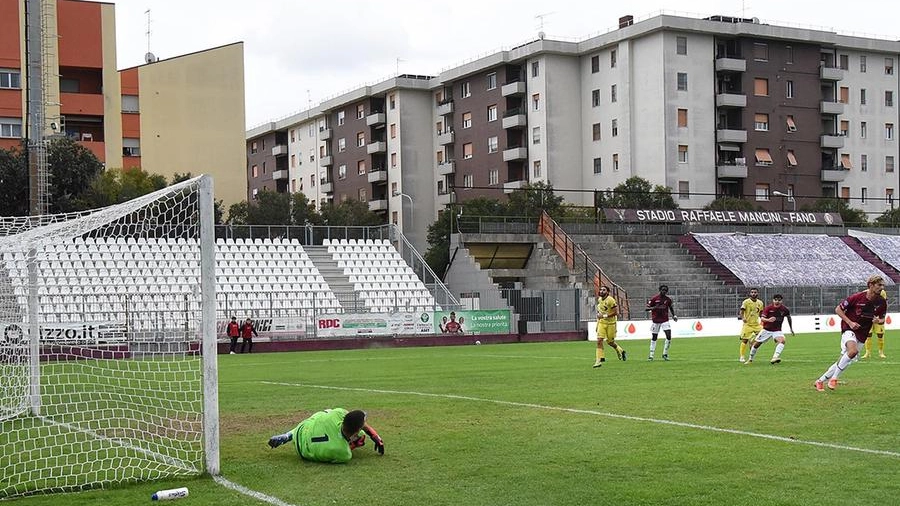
(709, 327)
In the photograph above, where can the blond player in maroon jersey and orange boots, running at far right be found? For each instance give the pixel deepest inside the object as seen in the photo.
(857, 312)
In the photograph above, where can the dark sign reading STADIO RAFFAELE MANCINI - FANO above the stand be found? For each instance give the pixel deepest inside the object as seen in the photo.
(713, 217)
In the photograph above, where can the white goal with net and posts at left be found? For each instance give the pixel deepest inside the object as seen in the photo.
(107, 344)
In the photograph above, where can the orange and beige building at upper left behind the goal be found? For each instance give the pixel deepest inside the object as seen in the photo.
(177, 115)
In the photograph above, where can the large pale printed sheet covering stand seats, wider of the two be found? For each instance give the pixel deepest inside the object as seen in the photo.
(789, 259)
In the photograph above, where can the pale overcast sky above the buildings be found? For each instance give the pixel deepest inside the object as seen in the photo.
(298, 53)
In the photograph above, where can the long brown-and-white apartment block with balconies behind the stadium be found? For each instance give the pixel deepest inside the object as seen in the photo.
(709, 107)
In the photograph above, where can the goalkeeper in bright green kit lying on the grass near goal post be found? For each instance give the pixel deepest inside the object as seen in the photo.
(330, 436)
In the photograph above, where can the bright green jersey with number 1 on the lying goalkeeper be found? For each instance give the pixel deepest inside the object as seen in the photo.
(319, 437)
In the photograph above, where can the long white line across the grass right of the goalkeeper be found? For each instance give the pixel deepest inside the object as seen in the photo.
(599, 413)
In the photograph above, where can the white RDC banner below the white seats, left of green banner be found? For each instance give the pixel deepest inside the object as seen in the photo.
(373, 324)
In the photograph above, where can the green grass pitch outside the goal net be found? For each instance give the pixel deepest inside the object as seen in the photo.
(534, 424)
